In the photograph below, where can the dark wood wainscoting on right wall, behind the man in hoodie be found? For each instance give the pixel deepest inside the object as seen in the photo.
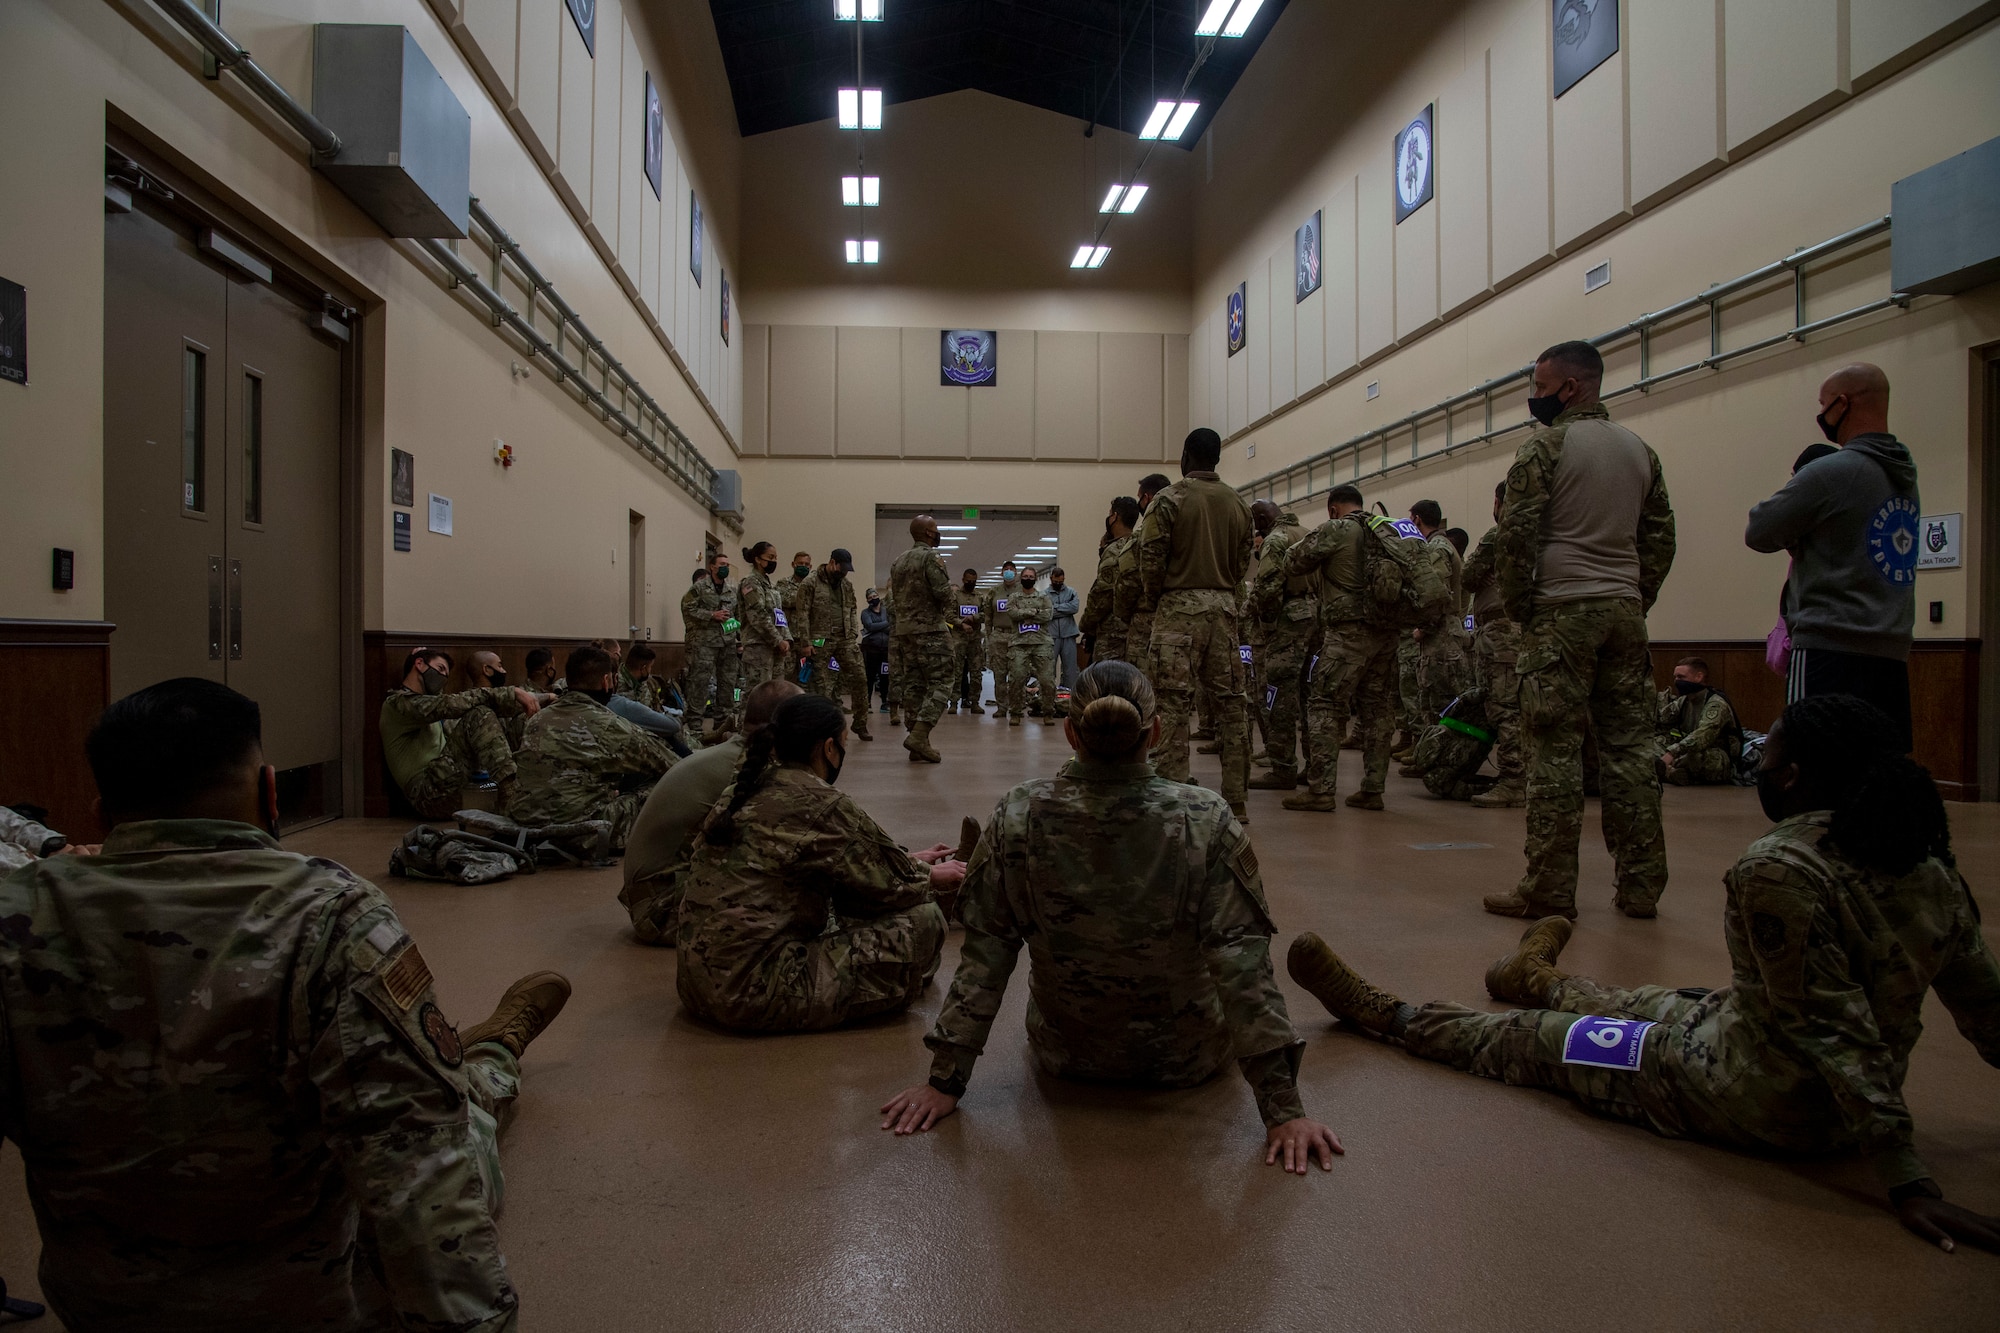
(1945, 698)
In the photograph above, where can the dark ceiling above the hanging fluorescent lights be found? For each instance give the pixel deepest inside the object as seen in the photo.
(1101, 61)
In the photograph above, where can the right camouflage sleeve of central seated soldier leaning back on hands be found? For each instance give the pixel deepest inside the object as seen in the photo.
(1237, 928)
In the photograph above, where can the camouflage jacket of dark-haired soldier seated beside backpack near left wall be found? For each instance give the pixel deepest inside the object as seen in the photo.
(579, 756)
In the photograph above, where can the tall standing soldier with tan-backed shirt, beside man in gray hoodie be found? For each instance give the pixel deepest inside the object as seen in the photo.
(1587, 537)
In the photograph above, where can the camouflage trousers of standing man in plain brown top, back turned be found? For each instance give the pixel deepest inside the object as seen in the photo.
(1195, 645)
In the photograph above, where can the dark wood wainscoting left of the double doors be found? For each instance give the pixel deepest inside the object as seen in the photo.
(59, 678)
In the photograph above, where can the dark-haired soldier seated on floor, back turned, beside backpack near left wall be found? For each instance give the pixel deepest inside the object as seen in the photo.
(585, 762)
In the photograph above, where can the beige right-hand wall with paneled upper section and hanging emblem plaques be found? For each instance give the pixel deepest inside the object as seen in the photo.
(1723, 137)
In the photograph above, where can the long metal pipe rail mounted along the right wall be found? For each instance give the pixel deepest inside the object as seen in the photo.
(1283, 483)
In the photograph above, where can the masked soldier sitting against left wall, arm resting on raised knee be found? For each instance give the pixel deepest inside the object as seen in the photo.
(435, 742)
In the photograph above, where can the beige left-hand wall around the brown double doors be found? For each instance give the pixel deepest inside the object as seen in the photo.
(535, 545)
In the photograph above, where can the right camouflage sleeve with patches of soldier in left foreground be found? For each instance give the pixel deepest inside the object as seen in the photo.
(397, 1114)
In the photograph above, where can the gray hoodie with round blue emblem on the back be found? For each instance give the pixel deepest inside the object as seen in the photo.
(1851, 523)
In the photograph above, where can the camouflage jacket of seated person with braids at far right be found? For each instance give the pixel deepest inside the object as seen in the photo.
(1831, 966)
